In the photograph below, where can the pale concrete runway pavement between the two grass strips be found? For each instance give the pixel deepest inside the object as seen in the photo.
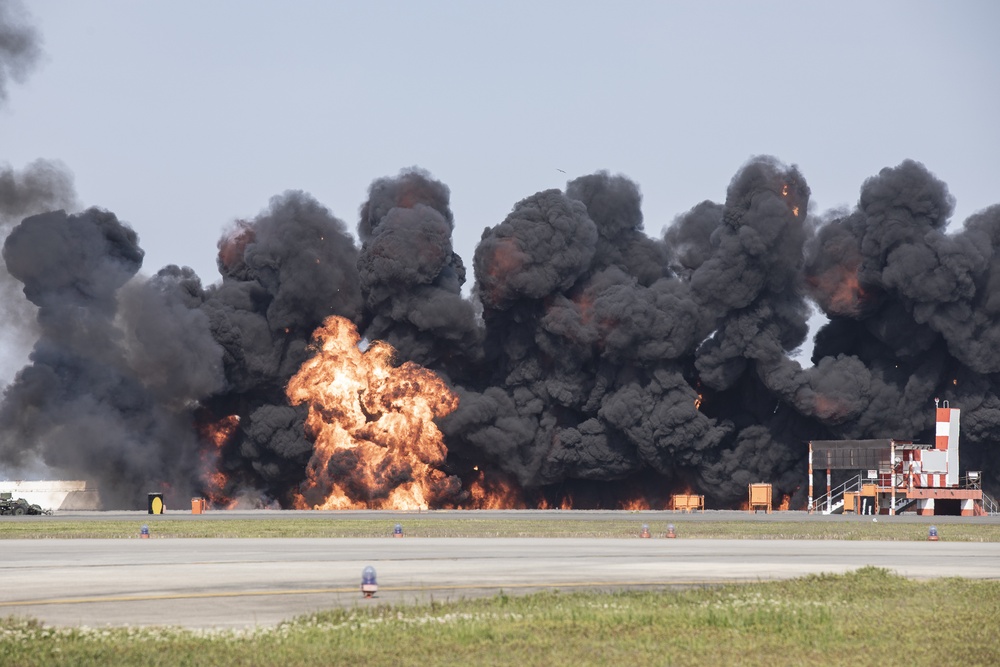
(246, 582)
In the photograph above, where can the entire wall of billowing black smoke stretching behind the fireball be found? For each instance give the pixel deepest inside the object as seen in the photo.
(592, 361)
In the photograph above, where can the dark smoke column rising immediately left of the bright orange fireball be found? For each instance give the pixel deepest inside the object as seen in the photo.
(283, 273)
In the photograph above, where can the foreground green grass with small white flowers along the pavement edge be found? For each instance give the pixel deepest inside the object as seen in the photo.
(866, 617)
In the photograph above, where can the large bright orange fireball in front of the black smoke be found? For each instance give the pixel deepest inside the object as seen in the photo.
(376, 444)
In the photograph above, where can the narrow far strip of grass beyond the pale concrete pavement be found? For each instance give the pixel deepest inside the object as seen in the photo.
(627, 527)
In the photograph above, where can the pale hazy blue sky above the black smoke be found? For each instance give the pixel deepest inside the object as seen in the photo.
(182, 116)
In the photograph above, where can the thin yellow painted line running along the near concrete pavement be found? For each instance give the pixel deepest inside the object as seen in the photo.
(357, 589)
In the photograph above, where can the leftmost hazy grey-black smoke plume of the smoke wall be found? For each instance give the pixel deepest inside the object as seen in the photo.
(80, 405)
